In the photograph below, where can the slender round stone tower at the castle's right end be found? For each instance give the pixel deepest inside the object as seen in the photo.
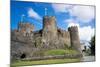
(74, 35)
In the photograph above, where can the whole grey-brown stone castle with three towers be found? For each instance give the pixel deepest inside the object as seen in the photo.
(24, 40)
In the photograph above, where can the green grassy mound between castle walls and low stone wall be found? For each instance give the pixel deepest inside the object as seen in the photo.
(60, 52)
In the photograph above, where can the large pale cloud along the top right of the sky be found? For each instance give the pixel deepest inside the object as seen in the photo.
(82, 13)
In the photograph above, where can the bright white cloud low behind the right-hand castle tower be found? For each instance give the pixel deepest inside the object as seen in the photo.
(85, 33)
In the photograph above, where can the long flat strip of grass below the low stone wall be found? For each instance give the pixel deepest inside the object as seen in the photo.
(42, 62)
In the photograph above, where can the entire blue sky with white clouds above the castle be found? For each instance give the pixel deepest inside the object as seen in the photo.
(66, 15)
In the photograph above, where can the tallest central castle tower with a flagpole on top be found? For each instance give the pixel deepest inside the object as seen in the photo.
(49, 27)
